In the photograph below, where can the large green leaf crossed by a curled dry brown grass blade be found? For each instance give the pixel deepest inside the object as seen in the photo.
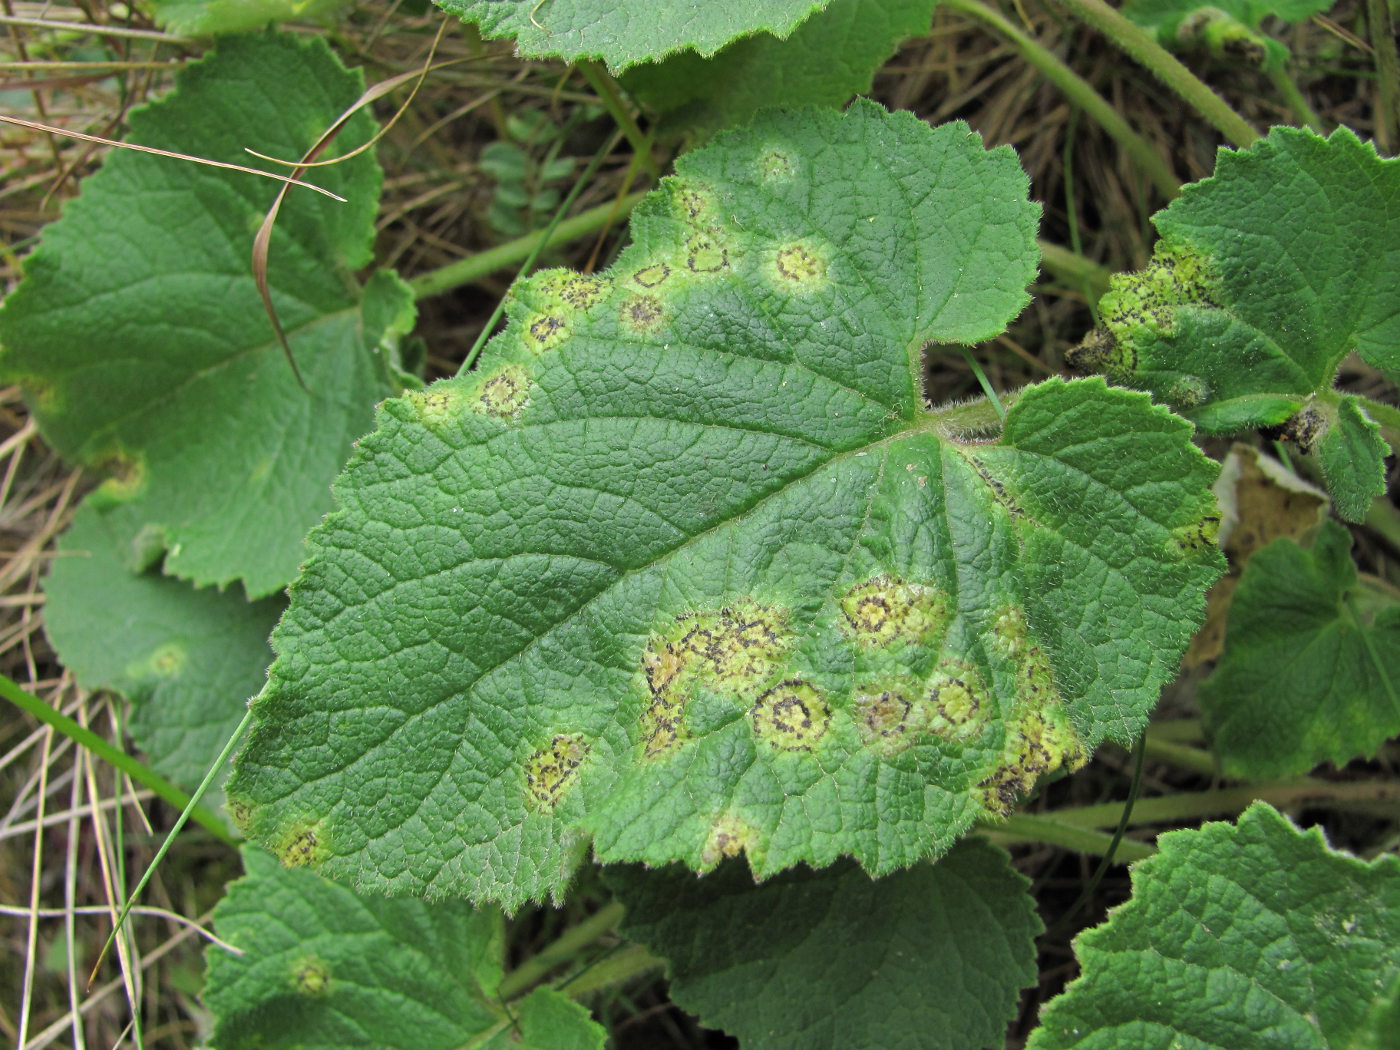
(143, 346)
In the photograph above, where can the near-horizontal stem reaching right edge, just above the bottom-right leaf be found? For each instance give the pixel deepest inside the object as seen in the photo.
(1228, 801)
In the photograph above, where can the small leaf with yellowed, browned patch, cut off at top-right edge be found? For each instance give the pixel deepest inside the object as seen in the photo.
(1227, 29)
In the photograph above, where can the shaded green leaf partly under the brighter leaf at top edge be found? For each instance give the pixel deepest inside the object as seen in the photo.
(828, 59)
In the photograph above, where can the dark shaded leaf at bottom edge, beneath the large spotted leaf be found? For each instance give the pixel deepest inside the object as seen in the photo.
(930, 958)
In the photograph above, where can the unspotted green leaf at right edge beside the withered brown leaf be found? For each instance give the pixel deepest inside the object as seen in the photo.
(1311, 670)
